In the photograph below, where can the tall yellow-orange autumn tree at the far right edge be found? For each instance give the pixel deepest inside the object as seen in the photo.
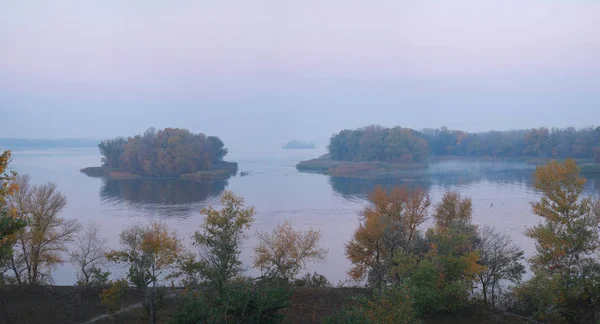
(567, 246)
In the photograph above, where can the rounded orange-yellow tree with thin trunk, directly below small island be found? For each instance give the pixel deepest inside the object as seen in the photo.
(149, 251)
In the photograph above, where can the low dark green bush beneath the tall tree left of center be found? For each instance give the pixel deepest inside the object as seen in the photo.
(241, 301)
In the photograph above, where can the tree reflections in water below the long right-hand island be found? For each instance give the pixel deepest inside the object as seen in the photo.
(360, 187)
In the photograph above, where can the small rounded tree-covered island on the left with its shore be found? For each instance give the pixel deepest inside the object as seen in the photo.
(167, 153)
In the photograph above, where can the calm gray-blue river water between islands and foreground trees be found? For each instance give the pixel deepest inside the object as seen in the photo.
(501, 197)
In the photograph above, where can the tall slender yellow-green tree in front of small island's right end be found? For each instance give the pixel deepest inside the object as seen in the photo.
(220, 238)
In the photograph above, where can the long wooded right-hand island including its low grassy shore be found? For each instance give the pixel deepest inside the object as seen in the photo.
(376, 150)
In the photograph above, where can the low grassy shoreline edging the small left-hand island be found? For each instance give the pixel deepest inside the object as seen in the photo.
(223, 172)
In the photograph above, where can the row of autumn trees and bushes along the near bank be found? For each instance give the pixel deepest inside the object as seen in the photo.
(414, 274)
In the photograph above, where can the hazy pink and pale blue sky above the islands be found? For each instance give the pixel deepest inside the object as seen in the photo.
(276, 70)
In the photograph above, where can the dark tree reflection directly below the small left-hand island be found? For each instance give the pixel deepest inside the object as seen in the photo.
(160, 191)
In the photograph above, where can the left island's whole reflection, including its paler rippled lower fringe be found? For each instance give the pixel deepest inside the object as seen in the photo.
(171, 198)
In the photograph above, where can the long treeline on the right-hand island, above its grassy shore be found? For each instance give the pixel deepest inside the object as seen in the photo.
(377, 143)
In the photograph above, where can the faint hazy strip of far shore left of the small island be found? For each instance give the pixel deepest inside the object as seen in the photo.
(39, 143)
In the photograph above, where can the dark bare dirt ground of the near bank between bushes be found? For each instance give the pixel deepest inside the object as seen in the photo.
(68, 304)
